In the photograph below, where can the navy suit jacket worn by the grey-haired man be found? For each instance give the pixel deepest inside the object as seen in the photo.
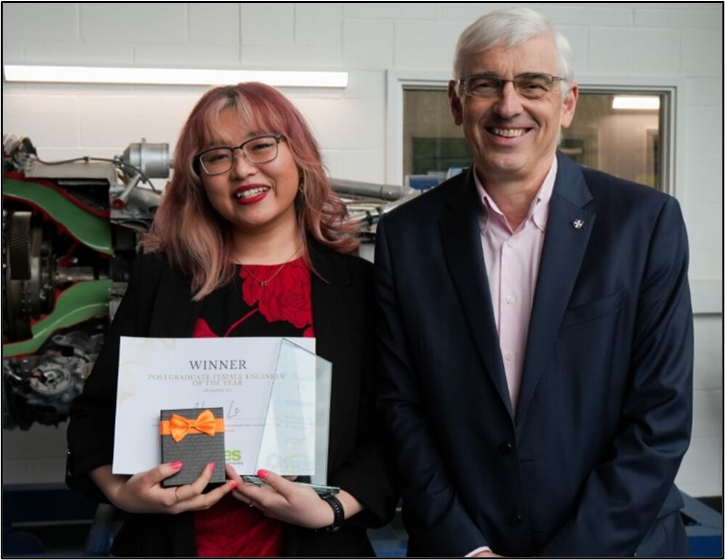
(586, 465)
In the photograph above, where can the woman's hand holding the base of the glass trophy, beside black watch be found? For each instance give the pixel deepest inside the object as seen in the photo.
(284, 500)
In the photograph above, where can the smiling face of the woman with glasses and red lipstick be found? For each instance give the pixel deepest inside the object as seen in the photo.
(255, 198)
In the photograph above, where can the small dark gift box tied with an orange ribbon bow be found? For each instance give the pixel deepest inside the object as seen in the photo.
(195, 437)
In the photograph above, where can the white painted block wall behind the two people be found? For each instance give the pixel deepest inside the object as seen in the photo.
(675, 41)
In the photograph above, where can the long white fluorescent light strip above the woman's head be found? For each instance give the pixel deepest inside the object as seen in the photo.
(170, 76)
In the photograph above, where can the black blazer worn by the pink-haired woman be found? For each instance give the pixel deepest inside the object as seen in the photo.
(158, 303)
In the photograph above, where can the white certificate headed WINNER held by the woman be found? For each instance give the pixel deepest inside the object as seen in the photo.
(268, 398)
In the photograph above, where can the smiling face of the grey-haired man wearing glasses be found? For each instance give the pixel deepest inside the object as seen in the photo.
(512, 137)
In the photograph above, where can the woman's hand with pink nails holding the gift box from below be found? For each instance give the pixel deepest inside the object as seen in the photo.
(143, 492)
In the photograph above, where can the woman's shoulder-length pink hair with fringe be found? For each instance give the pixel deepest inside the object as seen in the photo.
(187, 230)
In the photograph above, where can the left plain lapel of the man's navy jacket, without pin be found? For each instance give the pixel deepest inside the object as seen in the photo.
(461, 240)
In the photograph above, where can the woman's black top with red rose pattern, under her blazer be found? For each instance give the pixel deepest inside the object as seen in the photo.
(273, 302)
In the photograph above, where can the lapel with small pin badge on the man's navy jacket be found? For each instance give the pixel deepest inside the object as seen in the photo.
(567, 236)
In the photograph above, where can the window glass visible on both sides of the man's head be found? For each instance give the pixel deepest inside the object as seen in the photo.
(624, 133)
